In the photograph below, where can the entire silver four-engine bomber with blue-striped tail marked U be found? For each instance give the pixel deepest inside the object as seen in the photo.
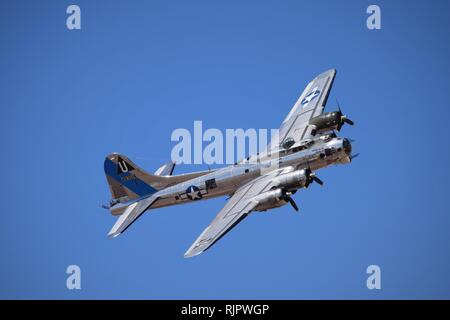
(305, 143)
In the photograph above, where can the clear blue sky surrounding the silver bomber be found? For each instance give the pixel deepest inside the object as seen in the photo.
(138, 70)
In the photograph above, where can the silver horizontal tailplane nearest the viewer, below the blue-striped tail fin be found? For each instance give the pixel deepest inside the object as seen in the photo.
(131, 213)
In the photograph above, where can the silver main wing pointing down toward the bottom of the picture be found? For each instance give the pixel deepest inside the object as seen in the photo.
(234, 211)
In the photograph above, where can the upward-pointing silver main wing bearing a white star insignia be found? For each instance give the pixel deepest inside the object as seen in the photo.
(310, 104)
